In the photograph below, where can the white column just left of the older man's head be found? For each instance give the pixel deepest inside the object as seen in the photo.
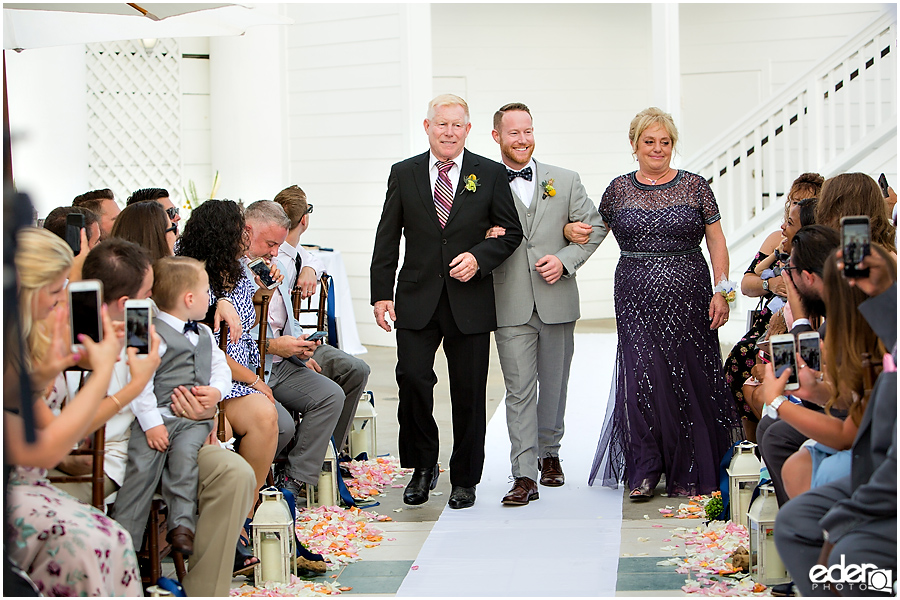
(415, 71)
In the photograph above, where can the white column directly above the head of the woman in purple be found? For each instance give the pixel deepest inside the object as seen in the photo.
(666, 60)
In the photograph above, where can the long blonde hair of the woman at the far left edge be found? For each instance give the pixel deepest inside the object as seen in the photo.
(41, 258)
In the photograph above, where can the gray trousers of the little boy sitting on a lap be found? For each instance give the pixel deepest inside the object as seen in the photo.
(175, 468)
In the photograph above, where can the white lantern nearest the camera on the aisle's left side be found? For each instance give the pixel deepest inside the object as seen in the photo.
(273, 538)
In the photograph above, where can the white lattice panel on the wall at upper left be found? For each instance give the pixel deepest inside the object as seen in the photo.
(134, 117)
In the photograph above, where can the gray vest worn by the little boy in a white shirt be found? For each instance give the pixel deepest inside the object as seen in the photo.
(182, 364)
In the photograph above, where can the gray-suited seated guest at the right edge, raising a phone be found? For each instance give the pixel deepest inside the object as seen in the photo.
(853, 521)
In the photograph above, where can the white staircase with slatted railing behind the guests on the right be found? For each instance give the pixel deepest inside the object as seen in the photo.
(839, 116)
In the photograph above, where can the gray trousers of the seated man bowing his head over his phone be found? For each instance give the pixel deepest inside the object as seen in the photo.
(320, 401)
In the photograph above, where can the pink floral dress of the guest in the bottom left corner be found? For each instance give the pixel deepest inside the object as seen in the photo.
(68, 548)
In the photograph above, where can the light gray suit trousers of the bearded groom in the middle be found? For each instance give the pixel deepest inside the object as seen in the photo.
(535, 359)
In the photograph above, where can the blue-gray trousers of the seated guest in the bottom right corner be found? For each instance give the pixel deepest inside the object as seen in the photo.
(799, 540)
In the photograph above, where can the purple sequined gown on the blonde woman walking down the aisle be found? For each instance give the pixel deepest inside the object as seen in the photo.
(669, 412)
